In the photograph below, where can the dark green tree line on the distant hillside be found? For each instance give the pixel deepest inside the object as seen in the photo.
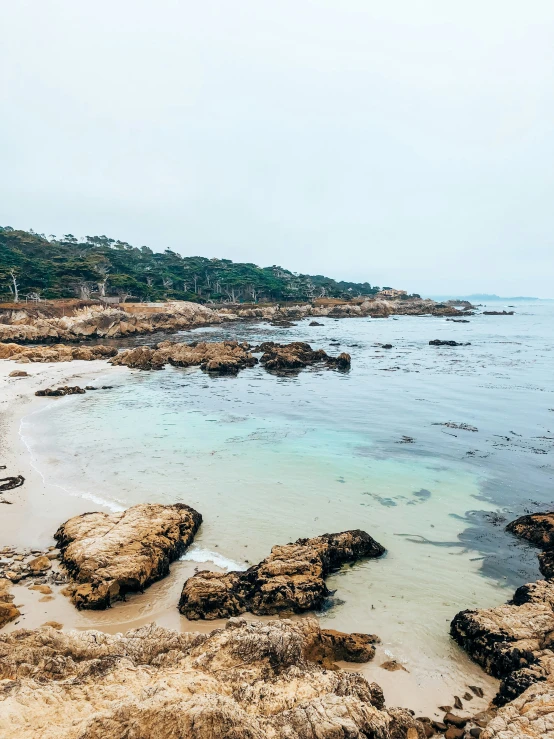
(34, 267)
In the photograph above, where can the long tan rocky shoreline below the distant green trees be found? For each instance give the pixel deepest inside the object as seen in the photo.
(26, 325)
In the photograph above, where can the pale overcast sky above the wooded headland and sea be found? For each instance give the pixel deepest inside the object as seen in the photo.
(406, 143)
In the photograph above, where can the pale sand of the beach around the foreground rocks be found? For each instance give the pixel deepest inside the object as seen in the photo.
(38, 507)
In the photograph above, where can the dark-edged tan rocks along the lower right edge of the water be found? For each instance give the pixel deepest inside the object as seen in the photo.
(515, 642)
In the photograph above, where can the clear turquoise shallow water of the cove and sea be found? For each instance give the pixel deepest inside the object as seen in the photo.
(268, 459)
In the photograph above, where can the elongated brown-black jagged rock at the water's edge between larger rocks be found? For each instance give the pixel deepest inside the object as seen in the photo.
(291, 579)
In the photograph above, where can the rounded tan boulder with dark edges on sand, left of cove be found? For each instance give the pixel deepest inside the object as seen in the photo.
(109, 555)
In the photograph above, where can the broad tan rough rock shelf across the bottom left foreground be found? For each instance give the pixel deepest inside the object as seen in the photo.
(246, 681)
